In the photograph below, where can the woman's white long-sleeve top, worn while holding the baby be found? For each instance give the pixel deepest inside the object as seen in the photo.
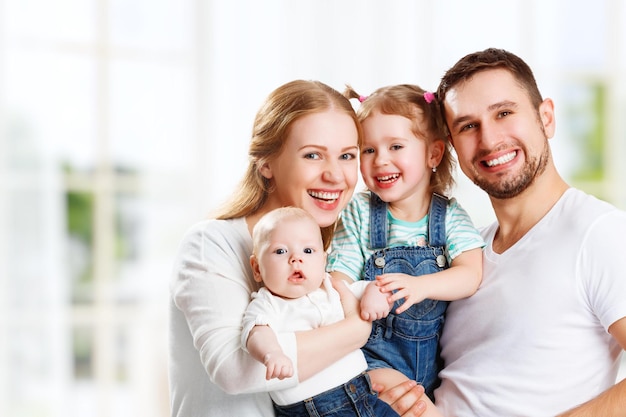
(210, 291)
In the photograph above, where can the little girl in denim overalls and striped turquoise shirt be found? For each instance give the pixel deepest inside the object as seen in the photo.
(419, 247)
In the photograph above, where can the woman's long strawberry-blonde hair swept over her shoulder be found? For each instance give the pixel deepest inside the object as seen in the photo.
(283, 106)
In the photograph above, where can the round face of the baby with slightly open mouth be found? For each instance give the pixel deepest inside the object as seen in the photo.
(292, 262)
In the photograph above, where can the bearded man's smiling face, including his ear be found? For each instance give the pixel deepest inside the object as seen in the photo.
(501, 141)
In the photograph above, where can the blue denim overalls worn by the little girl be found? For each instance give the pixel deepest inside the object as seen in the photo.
(408, 342)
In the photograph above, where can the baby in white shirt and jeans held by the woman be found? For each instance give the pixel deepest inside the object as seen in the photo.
(288, 257)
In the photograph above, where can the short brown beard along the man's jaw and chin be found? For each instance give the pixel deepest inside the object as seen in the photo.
(512, 187)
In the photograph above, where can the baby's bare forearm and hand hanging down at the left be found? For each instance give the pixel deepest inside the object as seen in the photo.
(264, 347)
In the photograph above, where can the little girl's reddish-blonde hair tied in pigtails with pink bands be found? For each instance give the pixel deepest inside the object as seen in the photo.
(407, 100)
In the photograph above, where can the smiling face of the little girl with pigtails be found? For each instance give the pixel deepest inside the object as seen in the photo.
(395, 163)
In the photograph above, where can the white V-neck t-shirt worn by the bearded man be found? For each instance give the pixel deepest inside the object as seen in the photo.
(533, 340)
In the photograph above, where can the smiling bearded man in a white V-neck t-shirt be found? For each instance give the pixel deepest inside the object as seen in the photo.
(545, 331)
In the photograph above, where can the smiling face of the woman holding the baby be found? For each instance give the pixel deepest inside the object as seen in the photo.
(317, 168)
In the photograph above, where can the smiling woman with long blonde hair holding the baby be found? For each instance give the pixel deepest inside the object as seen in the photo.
(303, 153)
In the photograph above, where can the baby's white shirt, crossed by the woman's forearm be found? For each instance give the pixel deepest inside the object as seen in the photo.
(319, 308)
